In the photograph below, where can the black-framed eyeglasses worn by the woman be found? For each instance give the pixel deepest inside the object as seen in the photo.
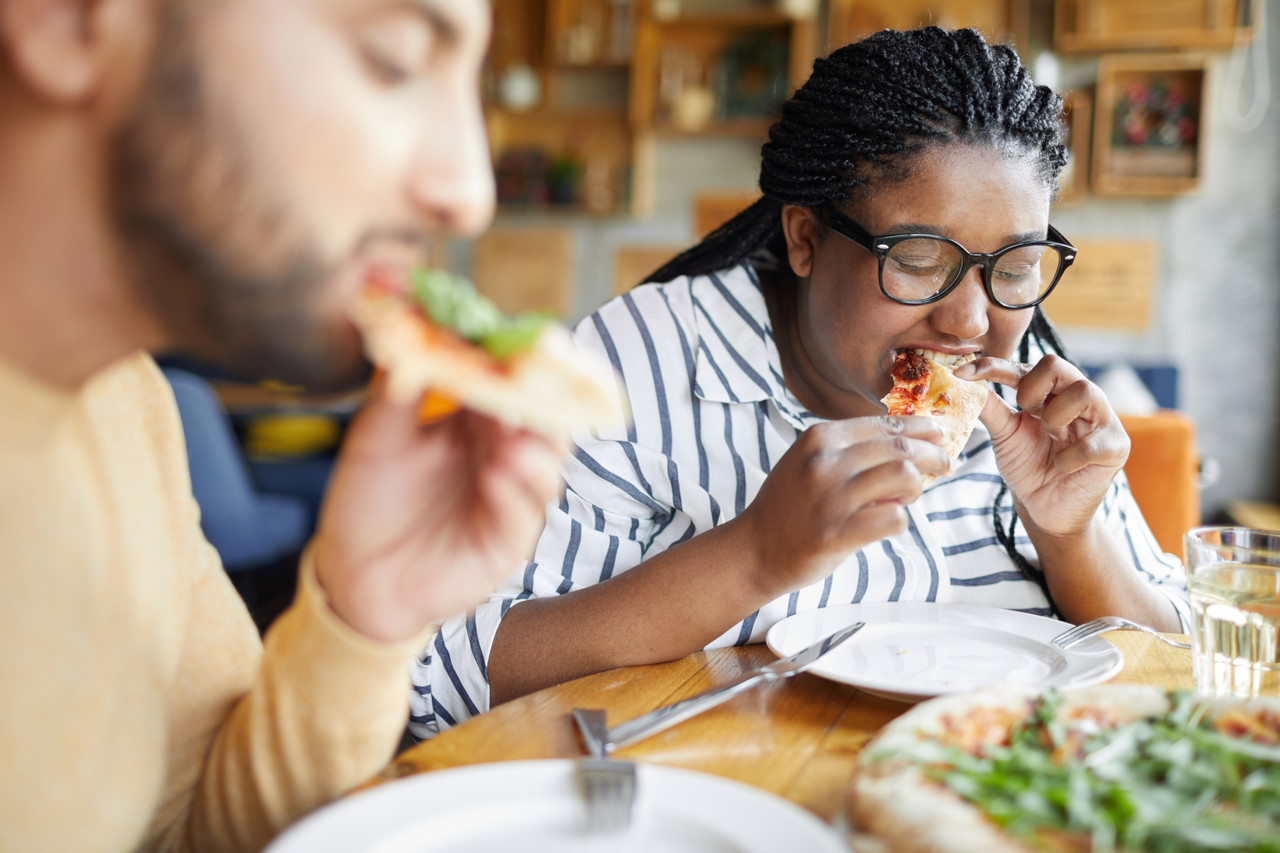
(918, 270)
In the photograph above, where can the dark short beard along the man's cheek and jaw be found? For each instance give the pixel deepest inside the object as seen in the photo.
(228, 272)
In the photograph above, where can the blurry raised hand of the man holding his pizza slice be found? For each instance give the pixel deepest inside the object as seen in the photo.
(422, 523)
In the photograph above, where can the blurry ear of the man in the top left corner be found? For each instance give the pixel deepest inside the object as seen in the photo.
(61, 49)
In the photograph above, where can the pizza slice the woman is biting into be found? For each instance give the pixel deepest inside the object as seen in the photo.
(925, 384)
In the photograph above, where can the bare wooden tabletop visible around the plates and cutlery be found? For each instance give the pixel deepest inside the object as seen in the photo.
(797, 738)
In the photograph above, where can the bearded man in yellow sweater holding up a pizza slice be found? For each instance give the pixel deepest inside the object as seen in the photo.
(217, 176)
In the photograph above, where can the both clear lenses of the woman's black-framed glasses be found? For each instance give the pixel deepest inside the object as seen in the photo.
(918, 268)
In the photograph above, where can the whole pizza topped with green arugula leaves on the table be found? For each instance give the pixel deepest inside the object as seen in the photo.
(1110, 768)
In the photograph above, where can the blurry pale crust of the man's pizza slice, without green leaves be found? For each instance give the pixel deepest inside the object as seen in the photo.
(552, 389)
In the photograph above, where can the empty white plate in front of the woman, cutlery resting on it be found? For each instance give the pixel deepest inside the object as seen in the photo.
(917, 651)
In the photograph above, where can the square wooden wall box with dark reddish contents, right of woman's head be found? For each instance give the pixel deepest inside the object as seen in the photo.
(1149, 135)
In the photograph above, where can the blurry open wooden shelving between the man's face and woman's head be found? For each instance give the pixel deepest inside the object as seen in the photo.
(578, 90)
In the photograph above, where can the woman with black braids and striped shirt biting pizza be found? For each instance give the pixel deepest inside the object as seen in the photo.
(762, 476)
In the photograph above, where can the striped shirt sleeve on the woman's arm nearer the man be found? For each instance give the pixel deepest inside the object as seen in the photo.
(621, 504)
